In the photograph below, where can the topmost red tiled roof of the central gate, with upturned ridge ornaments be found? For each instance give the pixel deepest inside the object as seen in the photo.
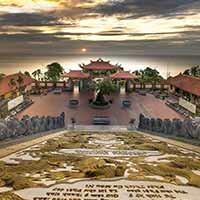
(99, 65)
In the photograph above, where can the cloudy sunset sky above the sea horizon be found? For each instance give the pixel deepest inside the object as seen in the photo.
(113, 27)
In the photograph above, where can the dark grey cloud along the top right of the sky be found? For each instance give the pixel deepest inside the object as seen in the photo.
(146, 8)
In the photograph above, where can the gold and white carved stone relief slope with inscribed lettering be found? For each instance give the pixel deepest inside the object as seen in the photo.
(100, 165)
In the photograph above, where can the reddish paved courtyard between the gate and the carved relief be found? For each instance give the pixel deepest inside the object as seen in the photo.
(53, 105)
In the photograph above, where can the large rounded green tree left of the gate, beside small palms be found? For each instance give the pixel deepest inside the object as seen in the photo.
(54, 71)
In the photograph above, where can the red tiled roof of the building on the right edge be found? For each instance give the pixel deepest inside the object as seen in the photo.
(187, 83)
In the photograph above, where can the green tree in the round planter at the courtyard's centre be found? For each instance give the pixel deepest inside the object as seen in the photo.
(102, 88)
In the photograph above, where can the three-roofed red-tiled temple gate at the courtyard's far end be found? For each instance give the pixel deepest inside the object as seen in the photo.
(100, 69)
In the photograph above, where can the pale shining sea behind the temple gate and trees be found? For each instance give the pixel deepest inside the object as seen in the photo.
(166, 65)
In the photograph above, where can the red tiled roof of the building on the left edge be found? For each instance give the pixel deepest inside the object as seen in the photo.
(5, 85)
